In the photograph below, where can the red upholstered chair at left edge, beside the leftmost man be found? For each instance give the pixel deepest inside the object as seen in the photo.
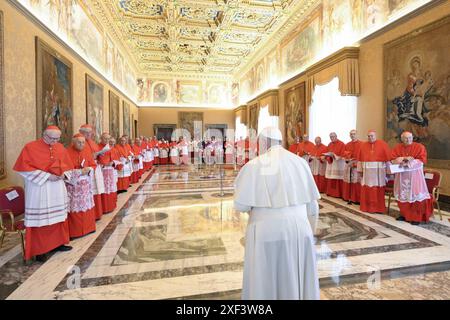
(11, 212)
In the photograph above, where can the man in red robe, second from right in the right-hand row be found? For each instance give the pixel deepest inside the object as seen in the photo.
(372, 158)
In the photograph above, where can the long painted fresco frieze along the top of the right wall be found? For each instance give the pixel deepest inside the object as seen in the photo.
(332, 25)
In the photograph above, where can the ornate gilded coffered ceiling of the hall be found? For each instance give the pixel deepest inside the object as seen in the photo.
(210, 38)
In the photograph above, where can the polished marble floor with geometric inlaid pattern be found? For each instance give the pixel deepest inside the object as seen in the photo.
(176, 236)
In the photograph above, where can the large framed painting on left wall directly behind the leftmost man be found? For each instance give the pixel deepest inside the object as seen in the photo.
(54, 91)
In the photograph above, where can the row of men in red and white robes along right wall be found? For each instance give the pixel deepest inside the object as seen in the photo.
(356, 172)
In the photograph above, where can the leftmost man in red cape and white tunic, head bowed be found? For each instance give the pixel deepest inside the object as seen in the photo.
(42, 164)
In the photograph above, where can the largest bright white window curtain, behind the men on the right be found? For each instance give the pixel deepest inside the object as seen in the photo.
(331, 112)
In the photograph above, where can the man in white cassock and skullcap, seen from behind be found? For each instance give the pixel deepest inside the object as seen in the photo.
(279, 192)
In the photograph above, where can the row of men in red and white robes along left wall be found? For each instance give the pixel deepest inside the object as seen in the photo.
(67, 190)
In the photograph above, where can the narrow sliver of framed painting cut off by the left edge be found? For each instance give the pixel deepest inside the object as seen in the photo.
(2, 103)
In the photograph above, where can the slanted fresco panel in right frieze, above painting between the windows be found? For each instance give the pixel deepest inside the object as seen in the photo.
(302, 45)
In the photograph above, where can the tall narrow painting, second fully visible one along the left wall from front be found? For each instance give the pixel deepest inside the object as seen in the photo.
(94, 106)
